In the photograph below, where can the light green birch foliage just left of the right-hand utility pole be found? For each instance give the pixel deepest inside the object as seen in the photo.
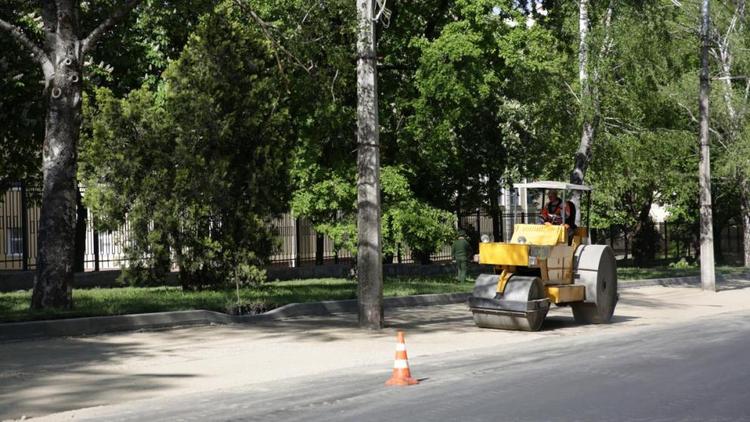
(646, 153)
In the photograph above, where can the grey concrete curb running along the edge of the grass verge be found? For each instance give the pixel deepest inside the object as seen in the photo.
(15, 331)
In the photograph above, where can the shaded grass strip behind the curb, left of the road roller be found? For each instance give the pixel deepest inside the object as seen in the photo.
(134, 300)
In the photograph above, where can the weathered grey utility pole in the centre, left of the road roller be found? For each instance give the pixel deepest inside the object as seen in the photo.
(369, 251)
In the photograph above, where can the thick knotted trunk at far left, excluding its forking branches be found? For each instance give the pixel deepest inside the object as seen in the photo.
(53, 284)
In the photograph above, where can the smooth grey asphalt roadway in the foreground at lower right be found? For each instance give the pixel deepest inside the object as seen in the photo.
(696, 371)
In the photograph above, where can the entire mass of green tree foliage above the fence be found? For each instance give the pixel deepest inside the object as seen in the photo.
(198, 144)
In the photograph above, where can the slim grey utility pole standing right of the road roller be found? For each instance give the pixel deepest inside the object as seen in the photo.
(708, 276)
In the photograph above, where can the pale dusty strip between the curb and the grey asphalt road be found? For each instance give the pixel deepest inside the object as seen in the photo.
(55, 375)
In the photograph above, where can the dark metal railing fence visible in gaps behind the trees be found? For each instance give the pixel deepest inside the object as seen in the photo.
(301, 245)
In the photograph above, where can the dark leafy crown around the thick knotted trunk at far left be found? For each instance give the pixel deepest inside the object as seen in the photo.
(135, 54)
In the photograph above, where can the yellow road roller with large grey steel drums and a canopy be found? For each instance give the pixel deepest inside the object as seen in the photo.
(550, 262)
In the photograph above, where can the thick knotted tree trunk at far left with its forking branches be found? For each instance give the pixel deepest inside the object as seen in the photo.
(61, 59)
